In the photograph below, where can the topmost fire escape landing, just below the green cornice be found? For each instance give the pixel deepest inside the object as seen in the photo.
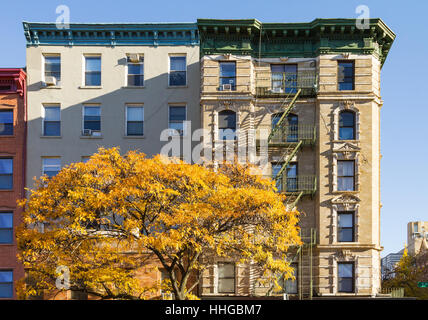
(278, 84)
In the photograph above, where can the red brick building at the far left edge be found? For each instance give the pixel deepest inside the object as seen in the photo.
(13, 111)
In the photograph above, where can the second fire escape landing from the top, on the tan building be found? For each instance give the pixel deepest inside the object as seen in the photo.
(293, 134)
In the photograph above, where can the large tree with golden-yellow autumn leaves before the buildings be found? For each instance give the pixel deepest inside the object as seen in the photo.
(102, 218)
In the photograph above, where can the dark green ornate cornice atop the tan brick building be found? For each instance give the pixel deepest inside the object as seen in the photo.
(321, 36)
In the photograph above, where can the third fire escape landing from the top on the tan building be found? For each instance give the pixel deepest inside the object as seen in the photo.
(296, 185)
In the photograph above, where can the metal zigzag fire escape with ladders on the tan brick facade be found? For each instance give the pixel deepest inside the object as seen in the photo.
(287, 140)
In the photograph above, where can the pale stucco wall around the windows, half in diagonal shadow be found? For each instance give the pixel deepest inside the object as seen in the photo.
(111, 96)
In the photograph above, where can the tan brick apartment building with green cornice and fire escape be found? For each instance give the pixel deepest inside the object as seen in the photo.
(311, 93)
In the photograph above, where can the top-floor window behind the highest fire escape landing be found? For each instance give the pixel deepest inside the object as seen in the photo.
(284, 78)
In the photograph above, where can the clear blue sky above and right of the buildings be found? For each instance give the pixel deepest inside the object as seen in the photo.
(404, 75)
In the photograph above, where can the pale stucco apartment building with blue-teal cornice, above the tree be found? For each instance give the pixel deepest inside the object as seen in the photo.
(94, 85)
